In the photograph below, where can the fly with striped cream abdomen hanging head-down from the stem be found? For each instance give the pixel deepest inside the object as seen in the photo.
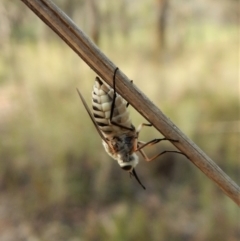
(119, 136)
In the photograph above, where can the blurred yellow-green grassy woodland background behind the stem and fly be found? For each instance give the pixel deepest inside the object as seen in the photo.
(56, 181)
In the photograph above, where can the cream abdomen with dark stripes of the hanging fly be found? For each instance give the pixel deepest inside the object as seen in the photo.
(102, 97)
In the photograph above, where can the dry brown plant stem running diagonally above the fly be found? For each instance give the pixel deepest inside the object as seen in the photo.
(85, 48)
